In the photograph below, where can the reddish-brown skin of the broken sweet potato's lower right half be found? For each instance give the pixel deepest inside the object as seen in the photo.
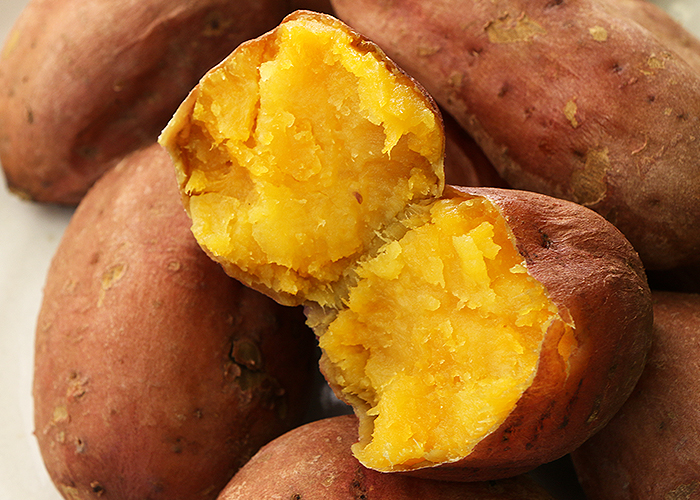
(595, 277)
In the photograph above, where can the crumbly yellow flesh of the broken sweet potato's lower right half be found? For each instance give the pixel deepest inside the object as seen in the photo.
(440, 337)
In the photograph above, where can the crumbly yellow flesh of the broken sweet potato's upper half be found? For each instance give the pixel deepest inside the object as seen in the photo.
(299, 150)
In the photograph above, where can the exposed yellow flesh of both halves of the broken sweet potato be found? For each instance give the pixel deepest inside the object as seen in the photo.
(311, 168)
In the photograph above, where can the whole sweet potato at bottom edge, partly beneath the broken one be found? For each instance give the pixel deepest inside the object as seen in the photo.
(314, 462)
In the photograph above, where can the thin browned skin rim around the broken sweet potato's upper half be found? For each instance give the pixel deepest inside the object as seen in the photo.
(179, 126)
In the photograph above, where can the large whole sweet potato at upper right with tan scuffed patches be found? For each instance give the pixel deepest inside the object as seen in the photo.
(570, 98)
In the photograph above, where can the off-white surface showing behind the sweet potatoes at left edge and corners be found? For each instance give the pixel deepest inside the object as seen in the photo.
(29, 234)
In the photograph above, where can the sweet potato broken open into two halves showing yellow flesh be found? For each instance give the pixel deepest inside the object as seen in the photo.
(476, 332)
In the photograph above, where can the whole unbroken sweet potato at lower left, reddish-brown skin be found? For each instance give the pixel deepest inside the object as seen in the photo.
(156, 375)
